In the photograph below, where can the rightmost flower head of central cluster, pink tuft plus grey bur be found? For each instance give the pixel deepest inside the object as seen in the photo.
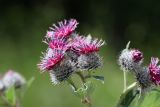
(86, 49)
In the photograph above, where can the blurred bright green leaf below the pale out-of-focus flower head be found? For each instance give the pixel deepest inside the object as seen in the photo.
(11, 95)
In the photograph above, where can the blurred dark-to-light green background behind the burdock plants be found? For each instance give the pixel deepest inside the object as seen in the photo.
(23, 25)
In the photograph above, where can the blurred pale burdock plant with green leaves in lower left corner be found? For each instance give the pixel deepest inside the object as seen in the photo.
(10, 82)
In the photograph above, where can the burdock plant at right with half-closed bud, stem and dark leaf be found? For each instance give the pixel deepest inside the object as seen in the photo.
(147, 78)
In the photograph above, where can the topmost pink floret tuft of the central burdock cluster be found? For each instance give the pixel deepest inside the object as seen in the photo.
(64, 29)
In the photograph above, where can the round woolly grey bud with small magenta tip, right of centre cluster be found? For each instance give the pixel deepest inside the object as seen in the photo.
(130, 59)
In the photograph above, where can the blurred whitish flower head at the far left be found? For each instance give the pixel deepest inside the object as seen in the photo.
(12, 78)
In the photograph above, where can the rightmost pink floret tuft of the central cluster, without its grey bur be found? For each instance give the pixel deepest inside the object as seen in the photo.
(84, 45)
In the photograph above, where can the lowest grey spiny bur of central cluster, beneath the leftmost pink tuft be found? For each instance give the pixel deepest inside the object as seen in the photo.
(62, 72)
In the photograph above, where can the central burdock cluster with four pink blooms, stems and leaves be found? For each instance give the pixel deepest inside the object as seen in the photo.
(69, 53)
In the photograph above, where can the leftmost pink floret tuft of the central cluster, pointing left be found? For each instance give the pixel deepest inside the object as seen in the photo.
(50, 59)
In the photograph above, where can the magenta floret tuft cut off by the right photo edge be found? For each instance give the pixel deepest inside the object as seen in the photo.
(154, 71)
